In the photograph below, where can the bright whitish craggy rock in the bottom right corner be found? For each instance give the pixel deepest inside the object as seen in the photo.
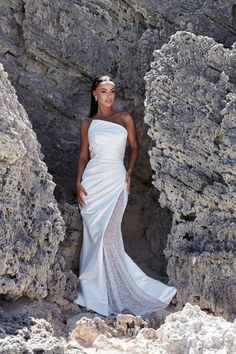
(193, 331)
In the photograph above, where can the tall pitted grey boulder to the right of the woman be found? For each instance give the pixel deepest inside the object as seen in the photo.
(191, 109)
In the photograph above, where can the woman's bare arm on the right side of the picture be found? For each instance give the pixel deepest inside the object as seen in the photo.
(134, 146)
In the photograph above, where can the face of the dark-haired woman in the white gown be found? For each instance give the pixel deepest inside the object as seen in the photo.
(105, 93)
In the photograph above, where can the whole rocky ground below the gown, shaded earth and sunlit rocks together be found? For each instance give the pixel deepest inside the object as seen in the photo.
(38, 327)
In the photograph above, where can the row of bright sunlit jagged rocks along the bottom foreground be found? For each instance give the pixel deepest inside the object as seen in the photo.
(188, 331)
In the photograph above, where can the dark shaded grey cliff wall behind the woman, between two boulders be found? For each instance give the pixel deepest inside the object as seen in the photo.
(52, 52)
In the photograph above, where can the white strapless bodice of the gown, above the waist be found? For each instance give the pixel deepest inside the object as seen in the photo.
(107, 140)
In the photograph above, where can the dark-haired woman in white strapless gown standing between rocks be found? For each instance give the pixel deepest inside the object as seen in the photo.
(109, 280)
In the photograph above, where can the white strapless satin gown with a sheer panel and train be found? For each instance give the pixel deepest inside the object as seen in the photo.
(109, 280)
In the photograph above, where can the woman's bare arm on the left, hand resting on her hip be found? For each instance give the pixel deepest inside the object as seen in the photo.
(82, 160)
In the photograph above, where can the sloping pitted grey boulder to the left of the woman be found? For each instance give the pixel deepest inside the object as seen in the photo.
(31, 224)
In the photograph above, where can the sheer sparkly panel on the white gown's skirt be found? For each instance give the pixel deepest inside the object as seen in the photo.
(123, 291)
